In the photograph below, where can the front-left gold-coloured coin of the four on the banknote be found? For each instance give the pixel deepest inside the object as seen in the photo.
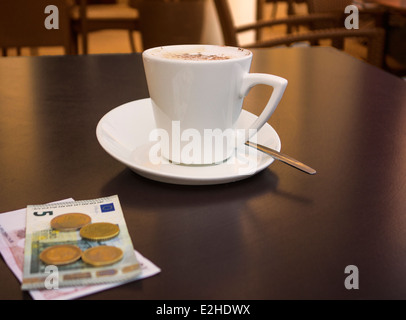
(60, 254)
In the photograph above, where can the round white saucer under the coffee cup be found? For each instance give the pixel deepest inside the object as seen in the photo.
(124, 134)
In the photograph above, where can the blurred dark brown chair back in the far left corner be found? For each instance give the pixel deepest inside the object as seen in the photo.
(22, 24)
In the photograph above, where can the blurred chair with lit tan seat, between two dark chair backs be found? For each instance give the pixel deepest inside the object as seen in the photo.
(95, 15)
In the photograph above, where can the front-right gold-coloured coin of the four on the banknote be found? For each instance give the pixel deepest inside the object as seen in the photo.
(102, 255)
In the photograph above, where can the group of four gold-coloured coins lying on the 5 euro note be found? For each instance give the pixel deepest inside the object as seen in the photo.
(95, 256)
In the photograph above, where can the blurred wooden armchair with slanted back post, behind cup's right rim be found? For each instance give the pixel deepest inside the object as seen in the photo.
(375, 36)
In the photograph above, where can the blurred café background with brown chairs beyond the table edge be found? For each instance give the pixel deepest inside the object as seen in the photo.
(125, 26)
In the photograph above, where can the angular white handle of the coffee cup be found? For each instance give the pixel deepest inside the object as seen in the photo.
(279, 85)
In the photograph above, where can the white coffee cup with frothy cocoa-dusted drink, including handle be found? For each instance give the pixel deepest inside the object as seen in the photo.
(197, 93)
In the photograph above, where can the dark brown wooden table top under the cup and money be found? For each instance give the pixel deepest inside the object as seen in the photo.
(280, 234)
